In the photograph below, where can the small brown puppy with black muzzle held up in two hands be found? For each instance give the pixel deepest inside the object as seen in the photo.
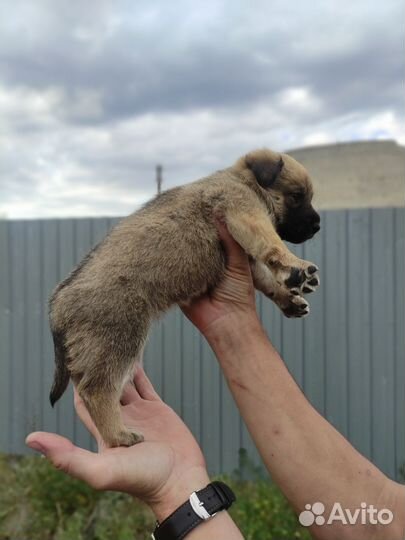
(166, 253)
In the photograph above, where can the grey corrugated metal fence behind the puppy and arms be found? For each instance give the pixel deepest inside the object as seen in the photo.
(348, 355)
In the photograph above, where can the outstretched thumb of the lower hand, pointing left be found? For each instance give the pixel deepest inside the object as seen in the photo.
(67, 457)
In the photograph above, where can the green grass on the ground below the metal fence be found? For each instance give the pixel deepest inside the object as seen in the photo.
(38, 502)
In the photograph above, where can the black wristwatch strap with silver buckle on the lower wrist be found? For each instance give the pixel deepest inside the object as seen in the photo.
(201, 506)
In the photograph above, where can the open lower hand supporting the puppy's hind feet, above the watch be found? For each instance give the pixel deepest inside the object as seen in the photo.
(162, 471)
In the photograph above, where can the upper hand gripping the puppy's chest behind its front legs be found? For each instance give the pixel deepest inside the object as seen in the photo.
(233, 300)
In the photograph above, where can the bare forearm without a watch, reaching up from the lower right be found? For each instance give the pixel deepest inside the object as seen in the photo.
(305, 455)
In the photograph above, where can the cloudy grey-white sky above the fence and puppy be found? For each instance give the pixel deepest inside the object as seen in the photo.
(94, 94)
